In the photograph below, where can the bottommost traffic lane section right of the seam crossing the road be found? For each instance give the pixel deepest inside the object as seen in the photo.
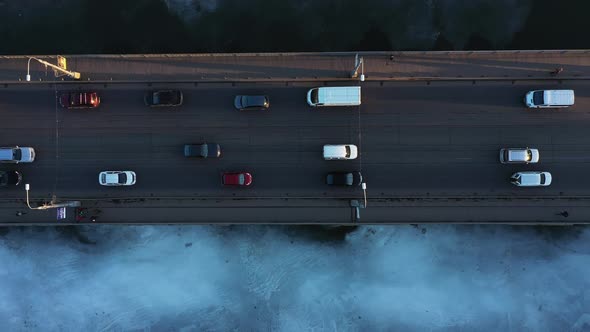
(475, 180)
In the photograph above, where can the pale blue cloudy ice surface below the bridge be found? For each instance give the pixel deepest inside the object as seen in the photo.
(263, 278)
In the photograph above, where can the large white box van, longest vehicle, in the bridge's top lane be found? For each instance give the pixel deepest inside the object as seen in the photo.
(334, 96)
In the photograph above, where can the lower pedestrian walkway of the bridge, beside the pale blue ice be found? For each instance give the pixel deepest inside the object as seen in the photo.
(321, 212)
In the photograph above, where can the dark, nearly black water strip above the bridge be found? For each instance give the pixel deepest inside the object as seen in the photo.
(150, 26)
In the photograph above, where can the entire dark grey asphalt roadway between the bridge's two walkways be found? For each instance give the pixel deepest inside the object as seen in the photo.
(416, 139)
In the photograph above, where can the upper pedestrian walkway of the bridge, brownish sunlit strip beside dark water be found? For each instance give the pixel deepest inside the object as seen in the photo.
(574, 64)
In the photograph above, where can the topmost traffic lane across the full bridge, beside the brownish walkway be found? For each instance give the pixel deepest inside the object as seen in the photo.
(214, 102)
